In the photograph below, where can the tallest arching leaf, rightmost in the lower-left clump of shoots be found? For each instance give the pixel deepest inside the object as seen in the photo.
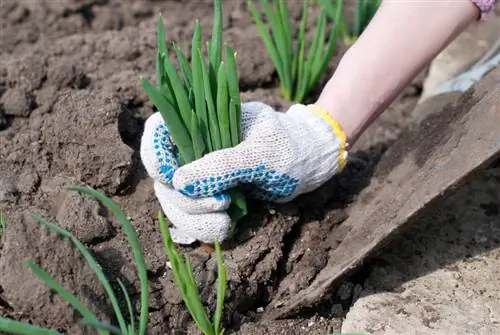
(135, 245)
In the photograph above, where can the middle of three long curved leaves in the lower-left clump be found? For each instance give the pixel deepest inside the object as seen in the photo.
(92, 263)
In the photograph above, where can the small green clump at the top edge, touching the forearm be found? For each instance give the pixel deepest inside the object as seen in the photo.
(363, 13)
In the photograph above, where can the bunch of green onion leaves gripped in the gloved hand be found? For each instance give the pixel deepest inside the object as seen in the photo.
(200, 101)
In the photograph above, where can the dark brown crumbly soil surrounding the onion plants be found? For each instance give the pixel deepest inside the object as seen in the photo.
(71, 111)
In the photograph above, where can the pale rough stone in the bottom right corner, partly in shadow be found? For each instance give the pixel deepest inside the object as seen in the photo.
(441, 278)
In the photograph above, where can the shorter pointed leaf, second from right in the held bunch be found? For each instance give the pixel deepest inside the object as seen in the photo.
(223, 107)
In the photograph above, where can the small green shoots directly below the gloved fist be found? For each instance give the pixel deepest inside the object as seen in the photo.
(184, 279)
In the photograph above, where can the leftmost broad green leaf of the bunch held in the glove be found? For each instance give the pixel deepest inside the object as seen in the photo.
(173, 121)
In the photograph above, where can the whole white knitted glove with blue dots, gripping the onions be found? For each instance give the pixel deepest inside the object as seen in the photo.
(282, 155)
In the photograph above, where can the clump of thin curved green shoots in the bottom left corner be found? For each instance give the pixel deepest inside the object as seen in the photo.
(124, 328)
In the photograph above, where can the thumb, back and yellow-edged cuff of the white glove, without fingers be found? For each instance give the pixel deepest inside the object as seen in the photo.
(282, 155)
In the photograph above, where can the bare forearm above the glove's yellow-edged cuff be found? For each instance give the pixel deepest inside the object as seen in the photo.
(401, 39)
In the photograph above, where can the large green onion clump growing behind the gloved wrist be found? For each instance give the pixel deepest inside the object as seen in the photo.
(299, 65)
